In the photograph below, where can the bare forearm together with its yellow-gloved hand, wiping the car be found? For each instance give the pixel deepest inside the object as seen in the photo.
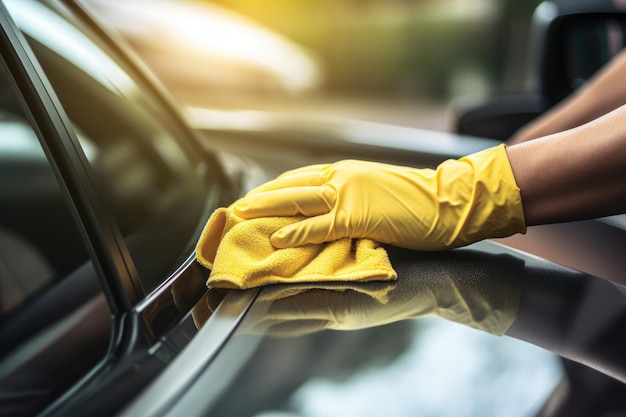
(571, 175)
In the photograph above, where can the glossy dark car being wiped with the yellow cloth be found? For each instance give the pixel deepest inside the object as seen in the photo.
(105, 188)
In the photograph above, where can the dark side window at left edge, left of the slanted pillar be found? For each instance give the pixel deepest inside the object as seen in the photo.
(52, 308)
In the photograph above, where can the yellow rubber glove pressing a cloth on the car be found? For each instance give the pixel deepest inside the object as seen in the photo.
(461, 202)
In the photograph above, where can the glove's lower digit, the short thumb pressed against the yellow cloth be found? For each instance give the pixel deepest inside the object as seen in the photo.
(313, 230)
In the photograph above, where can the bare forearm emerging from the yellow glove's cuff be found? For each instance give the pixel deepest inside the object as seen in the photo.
(573, 175)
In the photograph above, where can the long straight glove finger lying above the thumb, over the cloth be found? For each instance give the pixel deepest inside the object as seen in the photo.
(307, 201)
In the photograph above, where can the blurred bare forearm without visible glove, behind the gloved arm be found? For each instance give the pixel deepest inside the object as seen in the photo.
(603, 93)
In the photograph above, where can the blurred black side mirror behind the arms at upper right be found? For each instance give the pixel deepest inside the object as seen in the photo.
(570, 41)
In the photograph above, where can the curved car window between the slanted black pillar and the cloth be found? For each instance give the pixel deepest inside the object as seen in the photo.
(142, 171)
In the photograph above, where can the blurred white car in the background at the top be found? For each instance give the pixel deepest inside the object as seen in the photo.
(199, 49)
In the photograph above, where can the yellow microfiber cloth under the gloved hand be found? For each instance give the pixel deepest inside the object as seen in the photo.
(240, 255)
